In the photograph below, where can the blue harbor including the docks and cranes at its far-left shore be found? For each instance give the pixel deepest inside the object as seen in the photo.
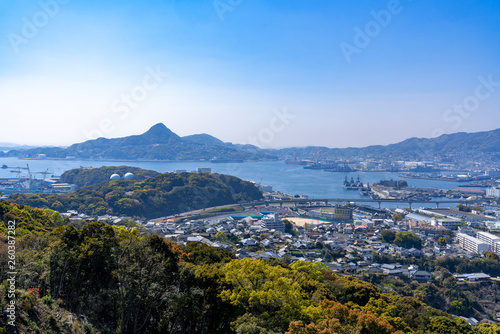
(287, 178)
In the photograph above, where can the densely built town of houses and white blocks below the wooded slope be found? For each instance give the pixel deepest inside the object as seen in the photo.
(344, 237)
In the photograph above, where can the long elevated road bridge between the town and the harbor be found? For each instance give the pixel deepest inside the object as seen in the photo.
(360, 200)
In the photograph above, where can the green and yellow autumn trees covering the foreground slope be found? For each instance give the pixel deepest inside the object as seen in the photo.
(120, 281)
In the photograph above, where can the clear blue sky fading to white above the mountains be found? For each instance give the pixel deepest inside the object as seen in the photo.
(276, 73)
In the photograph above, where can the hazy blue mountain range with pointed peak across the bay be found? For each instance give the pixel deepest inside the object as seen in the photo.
(160, 143)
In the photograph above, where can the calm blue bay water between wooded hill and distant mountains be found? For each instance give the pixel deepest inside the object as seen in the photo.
(290, 179)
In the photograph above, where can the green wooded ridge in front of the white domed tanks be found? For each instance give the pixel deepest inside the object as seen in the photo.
(157, 196)
